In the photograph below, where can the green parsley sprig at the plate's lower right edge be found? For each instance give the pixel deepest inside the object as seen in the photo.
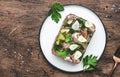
(89, 62)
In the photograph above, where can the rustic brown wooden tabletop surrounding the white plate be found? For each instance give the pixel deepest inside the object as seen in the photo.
(20, 20)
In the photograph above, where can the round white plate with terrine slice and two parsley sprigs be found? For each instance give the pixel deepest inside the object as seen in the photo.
(72, 38)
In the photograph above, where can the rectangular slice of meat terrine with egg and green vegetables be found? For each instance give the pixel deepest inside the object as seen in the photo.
(73, 38)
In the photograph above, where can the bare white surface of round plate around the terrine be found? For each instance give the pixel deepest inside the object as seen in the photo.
(50, 29)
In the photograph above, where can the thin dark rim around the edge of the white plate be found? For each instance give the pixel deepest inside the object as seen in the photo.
(83, 7)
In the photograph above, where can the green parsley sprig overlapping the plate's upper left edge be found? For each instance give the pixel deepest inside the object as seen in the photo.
(54, 11)
